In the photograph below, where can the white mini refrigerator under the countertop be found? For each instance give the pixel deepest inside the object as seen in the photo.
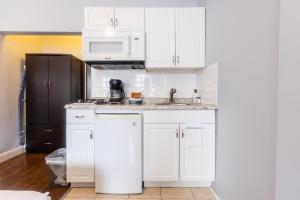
(118, 153)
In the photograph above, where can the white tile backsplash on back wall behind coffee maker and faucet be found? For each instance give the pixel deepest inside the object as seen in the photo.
(151, 84)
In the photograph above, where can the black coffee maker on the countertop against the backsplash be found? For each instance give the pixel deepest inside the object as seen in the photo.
(116, 93)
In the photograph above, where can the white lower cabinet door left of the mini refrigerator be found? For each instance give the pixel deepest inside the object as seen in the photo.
(80, 153)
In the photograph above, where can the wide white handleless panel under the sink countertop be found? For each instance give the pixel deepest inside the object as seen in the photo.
(182, 116)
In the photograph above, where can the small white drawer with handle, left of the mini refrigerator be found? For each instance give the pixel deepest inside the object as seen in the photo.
(80, 116)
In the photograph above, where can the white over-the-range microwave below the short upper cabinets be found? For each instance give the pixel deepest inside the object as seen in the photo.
(99, 45)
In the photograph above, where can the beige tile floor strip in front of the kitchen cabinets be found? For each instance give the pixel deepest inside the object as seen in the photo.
(148, 194)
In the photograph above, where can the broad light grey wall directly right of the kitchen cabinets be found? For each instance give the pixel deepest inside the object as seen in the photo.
(242, 36)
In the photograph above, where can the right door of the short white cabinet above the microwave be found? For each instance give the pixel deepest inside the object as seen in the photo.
(128, 19)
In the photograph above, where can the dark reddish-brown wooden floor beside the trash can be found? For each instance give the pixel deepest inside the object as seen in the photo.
(28, 172)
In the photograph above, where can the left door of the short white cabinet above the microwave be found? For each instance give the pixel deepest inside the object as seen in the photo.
(99, 17)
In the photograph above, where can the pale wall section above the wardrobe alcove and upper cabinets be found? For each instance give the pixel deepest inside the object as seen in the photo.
(63, 15)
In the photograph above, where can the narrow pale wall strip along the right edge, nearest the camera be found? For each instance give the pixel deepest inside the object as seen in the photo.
(288, 139)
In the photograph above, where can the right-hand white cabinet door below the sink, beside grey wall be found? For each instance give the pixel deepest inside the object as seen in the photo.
(197, 152)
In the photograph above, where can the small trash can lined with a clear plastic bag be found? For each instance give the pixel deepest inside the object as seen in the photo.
(56, 162)
